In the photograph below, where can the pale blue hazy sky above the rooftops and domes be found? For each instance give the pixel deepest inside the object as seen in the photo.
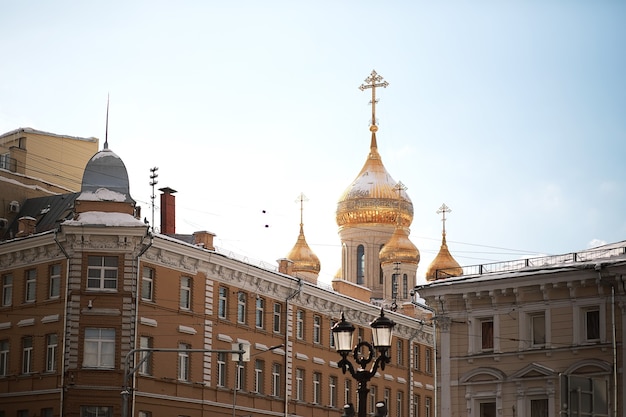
(511, 113)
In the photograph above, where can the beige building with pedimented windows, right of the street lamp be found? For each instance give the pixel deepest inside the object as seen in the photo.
(540, 337)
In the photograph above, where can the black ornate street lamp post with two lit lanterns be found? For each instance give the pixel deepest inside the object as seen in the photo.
(343, 332)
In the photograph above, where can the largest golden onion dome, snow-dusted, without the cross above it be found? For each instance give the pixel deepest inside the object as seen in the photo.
(373, 196)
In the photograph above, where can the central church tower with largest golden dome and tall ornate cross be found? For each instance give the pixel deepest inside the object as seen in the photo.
(372, 212)
